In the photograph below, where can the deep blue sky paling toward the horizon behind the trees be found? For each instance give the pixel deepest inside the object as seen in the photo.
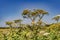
(12, 9)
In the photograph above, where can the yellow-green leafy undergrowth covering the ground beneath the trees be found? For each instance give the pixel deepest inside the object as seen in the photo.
(34, 33)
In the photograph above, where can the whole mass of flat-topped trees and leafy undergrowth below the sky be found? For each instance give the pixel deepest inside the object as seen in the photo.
(36, 31)
